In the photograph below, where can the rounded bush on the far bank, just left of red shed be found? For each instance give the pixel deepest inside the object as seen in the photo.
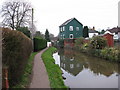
(98, 42)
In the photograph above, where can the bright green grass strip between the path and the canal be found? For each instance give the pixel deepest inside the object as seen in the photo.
(54, 71)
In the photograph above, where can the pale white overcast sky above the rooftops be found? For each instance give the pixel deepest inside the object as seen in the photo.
(52, 13)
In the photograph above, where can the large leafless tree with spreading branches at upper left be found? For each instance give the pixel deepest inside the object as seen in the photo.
(16, 14)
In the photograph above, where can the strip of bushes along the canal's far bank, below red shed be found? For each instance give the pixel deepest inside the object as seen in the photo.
(98, 47)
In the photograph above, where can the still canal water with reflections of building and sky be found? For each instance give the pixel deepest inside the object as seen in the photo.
(83, 71)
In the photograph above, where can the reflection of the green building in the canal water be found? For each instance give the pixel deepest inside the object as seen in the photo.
(69, 64)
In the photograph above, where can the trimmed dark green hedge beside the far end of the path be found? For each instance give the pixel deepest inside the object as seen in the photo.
(39, 44)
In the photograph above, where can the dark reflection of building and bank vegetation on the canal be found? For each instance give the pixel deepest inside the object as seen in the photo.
(73, 62)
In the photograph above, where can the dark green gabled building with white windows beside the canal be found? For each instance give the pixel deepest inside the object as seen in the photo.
(71, 29)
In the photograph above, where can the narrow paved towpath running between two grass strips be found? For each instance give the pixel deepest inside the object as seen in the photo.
(40, 78)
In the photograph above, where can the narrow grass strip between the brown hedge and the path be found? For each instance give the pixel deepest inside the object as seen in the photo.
(28, 70)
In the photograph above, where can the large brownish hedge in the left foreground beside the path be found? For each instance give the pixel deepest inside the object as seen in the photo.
(16, 50)
